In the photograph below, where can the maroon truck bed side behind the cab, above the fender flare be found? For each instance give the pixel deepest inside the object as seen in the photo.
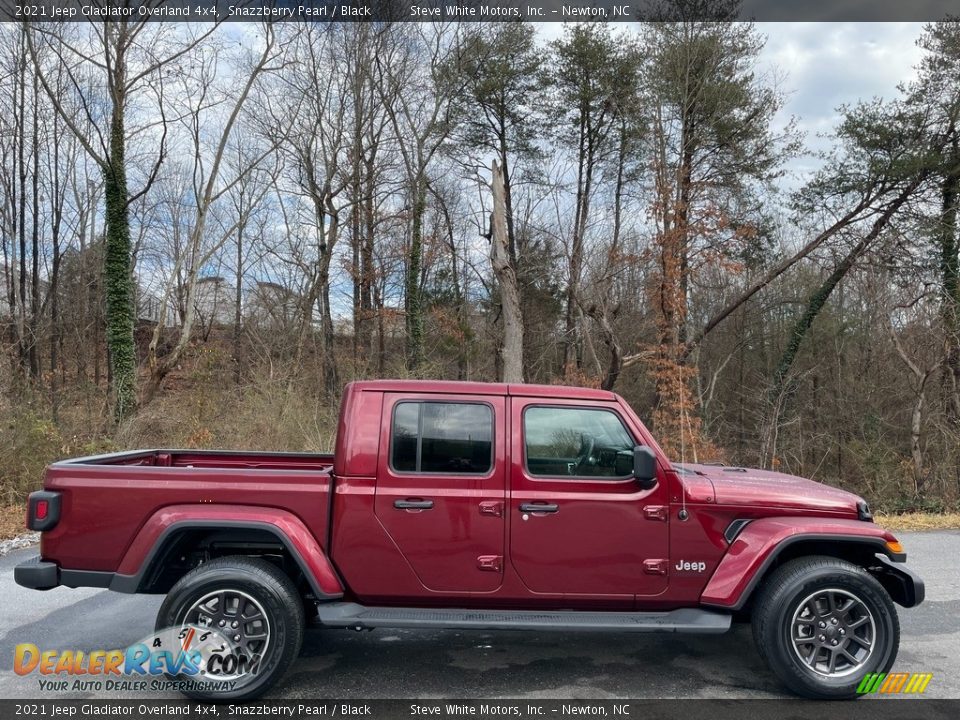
(106, 499)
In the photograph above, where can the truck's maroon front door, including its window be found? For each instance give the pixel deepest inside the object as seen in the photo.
(579, 523)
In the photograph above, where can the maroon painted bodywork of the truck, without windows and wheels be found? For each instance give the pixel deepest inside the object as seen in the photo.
(611, 544)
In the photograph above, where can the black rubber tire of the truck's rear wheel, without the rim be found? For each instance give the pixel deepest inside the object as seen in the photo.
(270, 589)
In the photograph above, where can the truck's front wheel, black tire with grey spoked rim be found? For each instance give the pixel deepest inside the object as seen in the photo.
(805, 599)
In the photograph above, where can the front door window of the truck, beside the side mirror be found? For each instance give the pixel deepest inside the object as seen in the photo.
(576, 441)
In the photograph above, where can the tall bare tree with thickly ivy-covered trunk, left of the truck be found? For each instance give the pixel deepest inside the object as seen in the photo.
(120, 58)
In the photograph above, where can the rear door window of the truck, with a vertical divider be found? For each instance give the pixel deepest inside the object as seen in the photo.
(442, 437)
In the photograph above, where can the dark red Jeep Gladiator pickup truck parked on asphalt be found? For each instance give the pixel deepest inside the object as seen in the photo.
(471, 505)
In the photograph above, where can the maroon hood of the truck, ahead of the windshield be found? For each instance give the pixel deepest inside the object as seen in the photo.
(763, 488)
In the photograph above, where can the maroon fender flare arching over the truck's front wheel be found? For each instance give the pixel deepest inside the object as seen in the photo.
(759, 544)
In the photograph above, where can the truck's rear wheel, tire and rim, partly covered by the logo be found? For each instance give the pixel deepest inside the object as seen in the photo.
(243, 619)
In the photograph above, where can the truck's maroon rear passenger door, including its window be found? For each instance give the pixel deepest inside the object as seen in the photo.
(441, 487)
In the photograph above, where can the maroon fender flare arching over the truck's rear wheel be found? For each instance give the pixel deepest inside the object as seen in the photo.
(286, 526)
